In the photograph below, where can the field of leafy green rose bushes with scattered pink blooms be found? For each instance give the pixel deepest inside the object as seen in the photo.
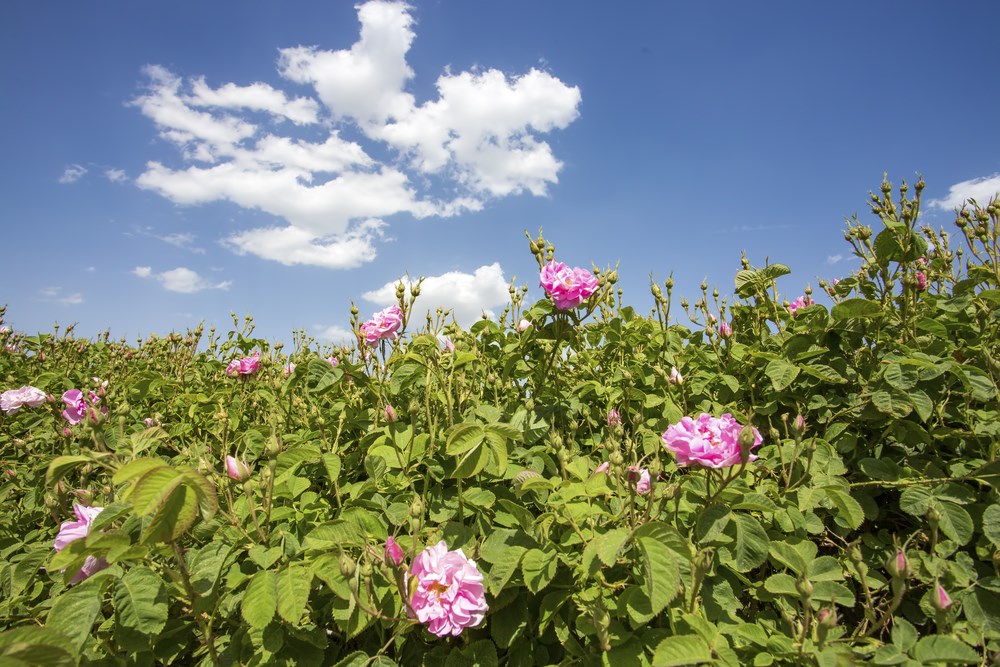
(746, 479)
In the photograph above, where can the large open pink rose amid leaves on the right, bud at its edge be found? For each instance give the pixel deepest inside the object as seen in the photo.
(708, 441)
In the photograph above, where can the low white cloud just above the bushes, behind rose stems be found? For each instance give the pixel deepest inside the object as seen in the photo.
(467, 295)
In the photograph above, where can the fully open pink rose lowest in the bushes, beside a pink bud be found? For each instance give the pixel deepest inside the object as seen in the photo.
(449, 594)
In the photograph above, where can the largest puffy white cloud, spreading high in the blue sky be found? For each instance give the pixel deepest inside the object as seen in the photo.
(478, 140)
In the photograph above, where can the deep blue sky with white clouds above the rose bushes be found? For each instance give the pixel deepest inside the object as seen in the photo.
(167, 163)
